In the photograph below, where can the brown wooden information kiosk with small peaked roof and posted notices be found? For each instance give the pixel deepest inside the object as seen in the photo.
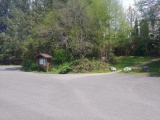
(43, 60)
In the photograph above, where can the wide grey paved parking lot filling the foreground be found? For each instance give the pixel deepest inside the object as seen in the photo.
(31, 96)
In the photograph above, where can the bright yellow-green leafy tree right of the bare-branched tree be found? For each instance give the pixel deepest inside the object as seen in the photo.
(109, 23)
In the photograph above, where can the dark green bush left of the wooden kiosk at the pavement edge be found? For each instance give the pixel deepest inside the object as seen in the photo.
(29, 65)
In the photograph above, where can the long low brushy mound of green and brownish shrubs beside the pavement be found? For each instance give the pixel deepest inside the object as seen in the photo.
(79, 66)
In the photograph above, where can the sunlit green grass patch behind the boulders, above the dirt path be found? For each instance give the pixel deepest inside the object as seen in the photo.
(128, 61)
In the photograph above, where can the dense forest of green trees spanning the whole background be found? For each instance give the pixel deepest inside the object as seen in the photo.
(75, 29)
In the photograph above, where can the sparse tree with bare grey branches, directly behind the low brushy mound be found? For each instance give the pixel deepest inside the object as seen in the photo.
(75, 25)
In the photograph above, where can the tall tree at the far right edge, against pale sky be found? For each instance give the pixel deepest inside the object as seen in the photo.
(149, 14)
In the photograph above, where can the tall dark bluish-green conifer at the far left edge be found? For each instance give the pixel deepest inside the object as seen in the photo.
(17, 29)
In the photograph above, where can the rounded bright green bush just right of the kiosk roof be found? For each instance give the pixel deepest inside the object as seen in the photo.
(61, 56)
